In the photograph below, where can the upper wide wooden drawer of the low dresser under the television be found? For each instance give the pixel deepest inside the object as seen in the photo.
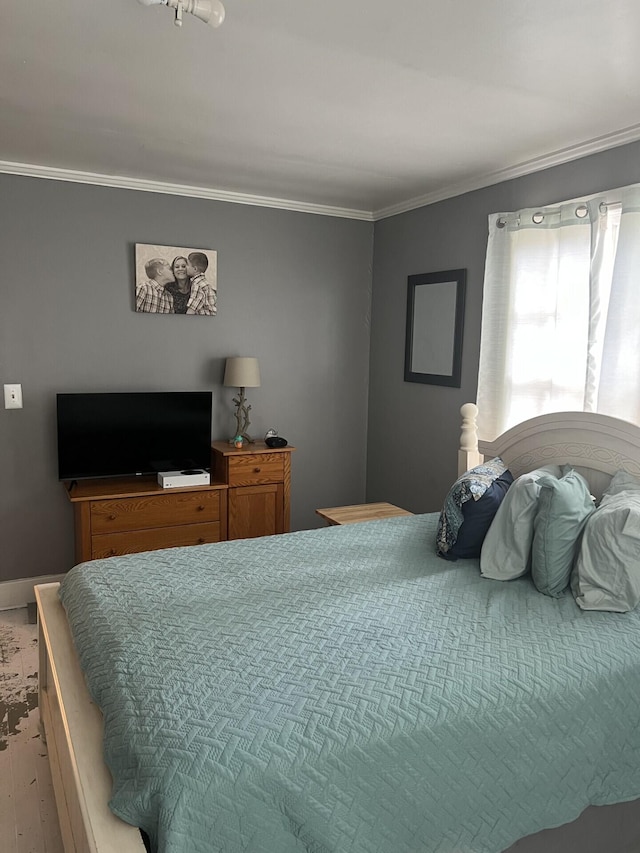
(150, 511)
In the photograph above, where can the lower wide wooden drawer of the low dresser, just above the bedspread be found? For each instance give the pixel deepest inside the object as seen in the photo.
(132, 542)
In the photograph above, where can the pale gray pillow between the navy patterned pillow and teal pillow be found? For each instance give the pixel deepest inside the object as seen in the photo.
(506, 550)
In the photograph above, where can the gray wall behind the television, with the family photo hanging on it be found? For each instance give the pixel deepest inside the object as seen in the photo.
(293, 290)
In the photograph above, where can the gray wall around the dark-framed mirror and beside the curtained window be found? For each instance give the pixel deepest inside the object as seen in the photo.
(414, 429)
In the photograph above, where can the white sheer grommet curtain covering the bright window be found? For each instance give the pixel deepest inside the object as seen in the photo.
(561, 312)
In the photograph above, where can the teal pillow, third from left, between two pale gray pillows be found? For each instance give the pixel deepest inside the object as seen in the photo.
(563, 508)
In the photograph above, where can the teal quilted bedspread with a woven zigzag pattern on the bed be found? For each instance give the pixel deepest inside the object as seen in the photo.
(345, 691)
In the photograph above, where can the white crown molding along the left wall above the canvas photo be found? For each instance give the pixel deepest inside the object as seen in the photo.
(121, 182)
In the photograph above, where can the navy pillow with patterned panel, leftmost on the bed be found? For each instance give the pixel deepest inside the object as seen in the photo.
(469, 508)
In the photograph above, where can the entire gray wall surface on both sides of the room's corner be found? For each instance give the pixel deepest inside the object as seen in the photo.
(294, 290)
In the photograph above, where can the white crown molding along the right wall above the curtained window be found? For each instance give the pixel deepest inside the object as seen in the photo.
(528, 167)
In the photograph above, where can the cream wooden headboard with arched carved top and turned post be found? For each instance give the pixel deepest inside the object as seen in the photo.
(596, 445)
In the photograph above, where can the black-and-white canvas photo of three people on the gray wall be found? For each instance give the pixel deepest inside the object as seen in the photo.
(176, 280)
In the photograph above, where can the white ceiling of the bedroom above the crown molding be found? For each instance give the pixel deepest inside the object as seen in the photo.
(361, 107)
